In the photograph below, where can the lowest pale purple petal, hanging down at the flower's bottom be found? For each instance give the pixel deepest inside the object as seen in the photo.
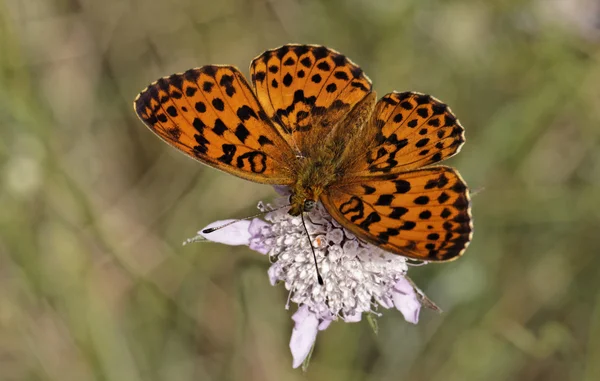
(304, 334)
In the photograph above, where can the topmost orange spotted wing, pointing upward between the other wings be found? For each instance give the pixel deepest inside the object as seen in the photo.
(307, 90)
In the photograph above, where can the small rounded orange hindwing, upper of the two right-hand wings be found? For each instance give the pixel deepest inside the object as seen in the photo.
(409, 130)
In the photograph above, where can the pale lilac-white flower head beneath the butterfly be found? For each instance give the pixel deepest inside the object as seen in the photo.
(358, 277)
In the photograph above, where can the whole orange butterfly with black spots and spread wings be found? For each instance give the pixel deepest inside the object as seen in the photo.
(311, 121)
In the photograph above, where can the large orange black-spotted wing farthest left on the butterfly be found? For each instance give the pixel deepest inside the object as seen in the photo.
(211, 114)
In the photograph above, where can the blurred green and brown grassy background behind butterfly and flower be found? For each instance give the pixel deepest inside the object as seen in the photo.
(94, 282)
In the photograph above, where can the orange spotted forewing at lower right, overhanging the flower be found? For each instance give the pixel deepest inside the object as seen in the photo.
(422, 214)
